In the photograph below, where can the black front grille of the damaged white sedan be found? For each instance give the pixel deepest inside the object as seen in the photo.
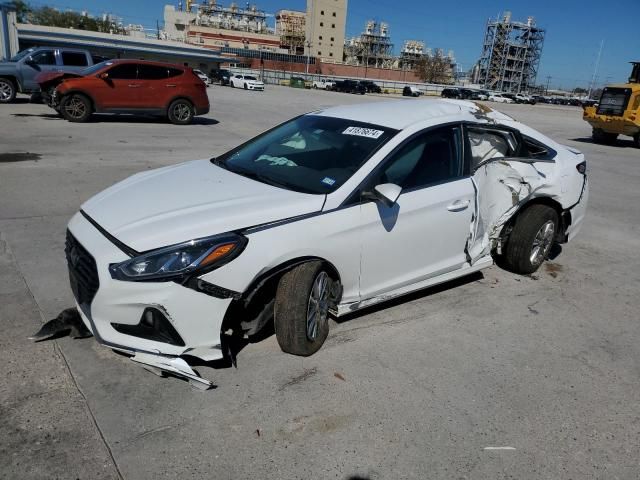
(83, 273)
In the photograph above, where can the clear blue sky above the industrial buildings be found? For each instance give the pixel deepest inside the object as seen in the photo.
(575, 28)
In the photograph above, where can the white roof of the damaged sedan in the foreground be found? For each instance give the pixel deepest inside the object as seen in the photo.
(399, 114)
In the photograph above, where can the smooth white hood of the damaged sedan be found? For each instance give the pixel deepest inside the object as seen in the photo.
(191, 200)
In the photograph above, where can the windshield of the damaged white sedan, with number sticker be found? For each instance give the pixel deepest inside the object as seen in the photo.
(310, 154)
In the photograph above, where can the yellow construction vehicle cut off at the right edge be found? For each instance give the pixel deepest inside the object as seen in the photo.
(618, 112)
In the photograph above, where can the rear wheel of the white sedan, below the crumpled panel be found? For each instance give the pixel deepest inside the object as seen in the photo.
(530, 231)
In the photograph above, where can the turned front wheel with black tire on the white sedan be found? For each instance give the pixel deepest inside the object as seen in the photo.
(292, 310)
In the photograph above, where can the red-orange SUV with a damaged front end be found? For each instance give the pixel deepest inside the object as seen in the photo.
(131, 86)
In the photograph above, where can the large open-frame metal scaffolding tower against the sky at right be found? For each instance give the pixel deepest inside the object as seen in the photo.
(511, 54)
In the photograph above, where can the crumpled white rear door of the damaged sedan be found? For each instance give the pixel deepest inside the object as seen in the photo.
(507, 171)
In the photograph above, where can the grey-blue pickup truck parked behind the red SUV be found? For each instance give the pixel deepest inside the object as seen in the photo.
(18, 74)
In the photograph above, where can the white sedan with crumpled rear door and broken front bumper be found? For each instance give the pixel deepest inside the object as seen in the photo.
(323, 215)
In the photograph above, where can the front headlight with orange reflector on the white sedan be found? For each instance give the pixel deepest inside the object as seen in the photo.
(179, 261)
